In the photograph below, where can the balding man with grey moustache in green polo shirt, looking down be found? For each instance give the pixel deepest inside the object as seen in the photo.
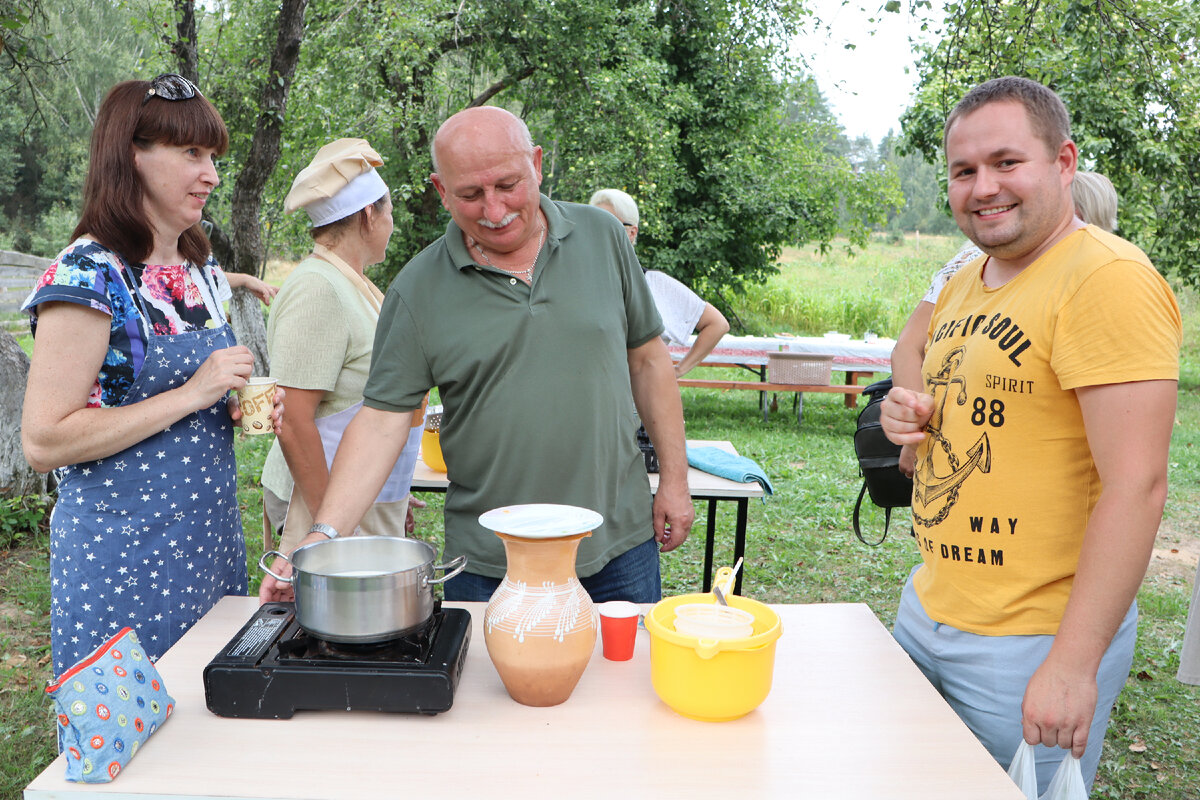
(533, 320)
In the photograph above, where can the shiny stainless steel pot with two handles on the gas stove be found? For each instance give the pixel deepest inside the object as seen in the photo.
(364, 588)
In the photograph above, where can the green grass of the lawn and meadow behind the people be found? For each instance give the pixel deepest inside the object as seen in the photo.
(800, 543)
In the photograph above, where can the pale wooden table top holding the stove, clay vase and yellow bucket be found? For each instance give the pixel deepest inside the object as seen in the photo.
(849, 718)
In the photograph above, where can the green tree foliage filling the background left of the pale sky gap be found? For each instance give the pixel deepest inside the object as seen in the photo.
(692, 106)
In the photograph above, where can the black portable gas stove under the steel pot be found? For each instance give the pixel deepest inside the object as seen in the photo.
(274, 669)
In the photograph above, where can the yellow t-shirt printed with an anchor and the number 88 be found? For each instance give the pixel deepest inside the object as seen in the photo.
(1006, 483)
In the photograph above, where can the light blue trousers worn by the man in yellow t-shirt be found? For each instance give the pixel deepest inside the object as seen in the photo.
(983, 679)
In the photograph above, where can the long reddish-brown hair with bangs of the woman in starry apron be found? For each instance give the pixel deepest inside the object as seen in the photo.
(113, 212)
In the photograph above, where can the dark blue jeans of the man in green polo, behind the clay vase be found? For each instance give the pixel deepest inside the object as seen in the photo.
(632, 576)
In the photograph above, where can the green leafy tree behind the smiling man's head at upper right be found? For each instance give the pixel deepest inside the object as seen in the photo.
(1130, 75)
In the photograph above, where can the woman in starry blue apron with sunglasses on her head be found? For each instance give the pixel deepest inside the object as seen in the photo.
(129, 387)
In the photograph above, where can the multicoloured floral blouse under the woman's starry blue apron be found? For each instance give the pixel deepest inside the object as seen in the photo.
(143, 300)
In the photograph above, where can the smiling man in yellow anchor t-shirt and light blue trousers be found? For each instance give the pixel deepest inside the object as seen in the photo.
(1051, 380)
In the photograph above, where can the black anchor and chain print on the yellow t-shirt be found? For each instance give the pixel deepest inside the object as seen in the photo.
(943, 472)
